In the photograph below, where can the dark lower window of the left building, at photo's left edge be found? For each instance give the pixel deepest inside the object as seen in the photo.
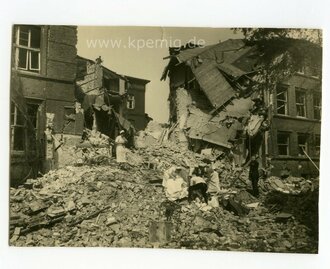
(17, 122)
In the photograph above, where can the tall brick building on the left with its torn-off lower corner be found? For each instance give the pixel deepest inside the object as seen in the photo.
(42, 97)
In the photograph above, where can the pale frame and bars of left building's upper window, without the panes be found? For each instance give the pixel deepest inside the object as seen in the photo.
(28, 48)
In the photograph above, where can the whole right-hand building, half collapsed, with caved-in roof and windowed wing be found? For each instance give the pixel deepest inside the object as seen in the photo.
(215, 103)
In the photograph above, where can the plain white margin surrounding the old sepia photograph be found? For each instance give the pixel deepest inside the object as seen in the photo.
(279, 13)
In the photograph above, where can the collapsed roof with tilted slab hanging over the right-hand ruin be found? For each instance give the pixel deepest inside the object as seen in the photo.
(212, 65)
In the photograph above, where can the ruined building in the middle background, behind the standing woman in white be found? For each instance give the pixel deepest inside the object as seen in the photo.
(110, 101)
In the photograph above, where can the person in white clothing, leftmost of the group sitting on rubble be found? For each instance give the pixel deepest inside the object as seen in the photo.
(174, 184)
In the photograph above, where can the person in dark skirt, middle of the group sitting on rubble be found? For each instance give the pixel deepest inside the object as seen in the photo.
(197, 188)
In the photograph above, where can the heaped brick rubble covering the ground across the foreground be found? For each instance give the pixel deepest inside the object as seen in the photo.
(90, 204)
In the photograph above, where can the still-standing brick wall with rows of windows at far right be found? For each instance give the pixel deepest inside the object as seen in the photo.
(296, 126)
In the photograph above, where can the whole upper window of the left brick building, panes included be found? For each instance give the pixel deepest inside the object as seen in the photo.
(28, 39)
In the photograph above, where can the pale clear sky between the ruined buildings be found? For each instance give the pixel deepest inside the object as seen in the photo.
(139, 52)
